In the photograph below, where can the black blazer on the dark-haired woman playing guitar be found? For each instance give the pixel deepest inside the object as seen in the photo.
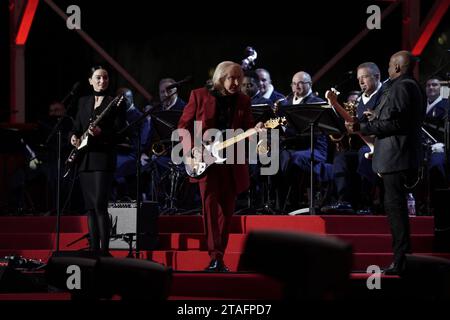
(100, 153)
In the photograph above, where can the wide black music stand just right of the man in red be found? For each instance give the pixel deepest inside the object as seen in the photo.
(314, 118)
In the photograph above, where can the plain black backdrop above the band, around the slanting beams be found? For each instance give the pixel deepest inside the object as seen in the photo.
(153, 40)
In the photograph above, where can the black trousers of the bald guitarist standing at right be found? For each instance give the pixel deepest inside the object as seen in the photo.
(396, 187)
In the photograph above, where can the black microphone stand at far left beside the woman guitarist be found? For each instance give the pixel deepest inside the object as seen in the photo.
(57, 129)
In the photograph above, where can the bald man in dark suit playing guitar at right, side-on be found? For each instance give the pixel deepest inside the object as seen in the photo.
(396, 123)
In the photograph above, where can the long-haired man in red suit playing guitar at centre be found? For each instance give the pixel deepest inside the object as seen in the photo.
(222, 106)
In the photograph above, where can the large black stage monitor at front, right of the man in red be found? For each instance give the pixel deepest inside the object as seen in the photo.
(309, 266)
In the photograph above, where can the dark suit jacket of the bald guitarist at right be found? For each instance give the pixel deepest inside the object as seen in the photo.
(397, 126)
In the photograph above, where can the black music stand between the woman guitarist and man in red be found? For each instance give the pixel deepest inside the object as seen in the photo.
(164, 122)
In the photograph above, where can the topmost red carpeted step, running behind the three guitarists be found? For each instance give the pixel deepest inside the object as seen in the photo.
(240, 224)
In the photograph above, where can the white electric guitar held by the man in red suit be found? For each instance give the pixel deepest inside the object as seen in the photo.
(196, 168)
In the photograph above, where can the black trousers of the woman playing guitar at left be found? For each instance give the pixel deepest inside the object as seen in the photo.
(96, 186)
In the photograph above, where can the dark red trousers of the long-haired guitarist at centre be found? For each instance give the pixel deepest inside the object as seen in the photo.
(218, 202)
